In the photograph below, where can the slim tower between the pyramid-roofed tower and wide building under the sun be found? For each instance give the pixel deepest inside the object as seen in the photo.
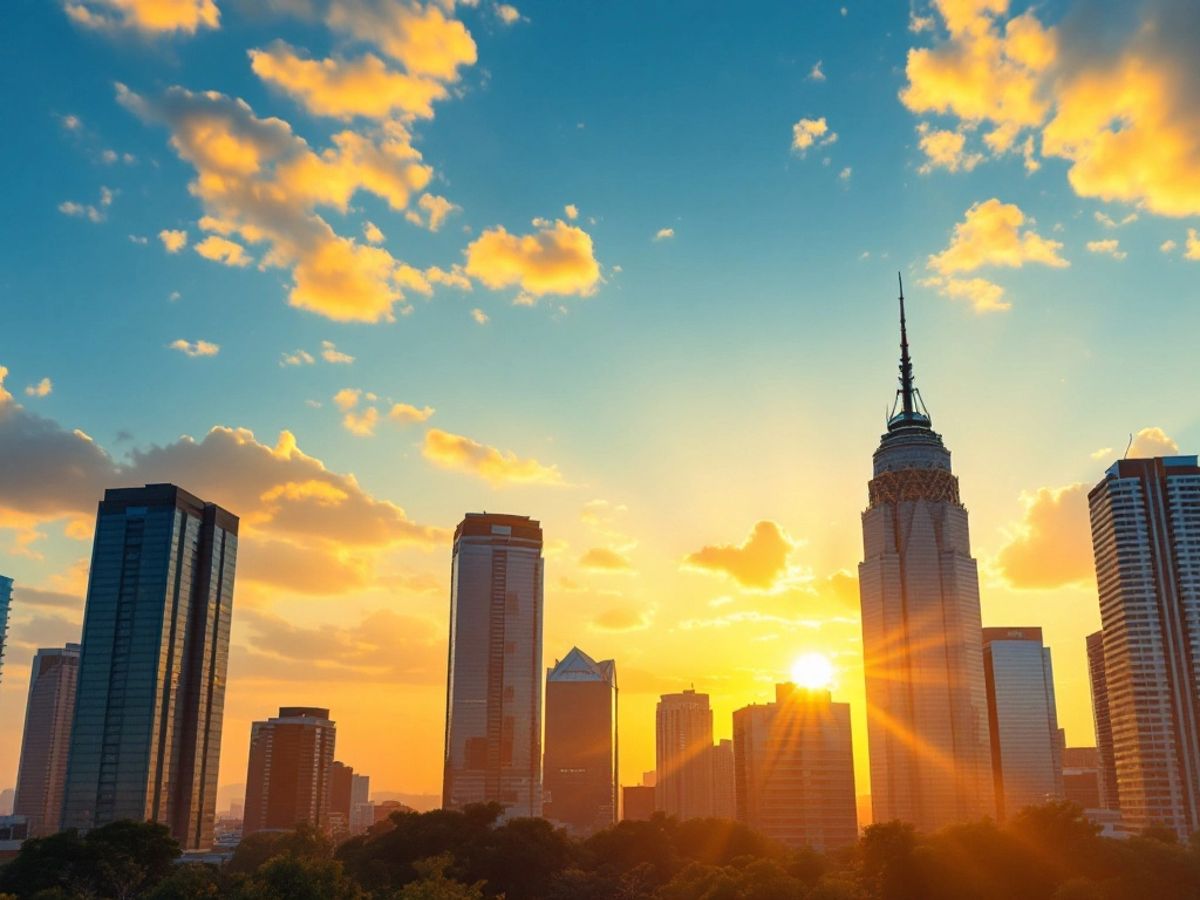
(683, 785)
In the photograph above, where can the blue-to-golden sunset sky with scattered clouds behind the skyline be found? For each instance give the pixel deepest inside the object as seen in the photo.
(355, 268)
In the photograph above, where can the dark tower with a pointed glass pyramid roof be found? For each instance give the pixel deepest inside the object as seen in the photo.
(581, 743)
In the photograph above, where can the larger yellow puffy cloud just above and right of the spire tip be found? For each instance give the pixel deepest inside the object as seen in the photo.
(991, 235)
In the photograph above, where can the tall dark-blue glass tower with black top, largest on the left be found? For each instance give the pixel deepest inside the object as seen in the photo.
(147, 735)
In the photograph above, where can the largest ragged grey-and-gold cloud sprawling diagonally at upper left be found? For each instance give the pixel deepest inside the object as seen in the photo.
(260, 182)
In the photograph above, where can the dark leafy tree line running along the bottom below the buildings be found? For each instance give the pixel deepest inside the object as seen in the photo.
(1048, 853)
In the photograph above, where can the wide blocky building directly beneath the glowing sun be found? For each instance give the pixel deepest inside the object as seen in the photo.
(795, 770)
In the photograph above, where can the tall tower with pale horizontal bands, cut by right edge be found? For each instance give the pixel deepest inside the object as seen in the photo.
(1147, 541)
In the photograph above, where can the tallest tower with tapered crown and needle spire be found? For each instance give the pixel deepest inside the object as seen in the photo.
(922, 644)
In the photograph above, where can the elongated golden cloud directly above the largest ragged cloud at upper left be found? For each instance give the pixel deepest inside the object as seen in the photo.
(347, 89)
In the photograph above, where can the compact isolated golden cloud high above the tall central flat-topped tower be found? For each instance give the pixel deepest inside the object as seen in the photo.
(557, 260)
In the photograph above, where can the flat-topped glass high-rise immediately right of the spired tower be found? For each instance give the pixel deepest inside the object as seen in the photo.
(1027, 759)
